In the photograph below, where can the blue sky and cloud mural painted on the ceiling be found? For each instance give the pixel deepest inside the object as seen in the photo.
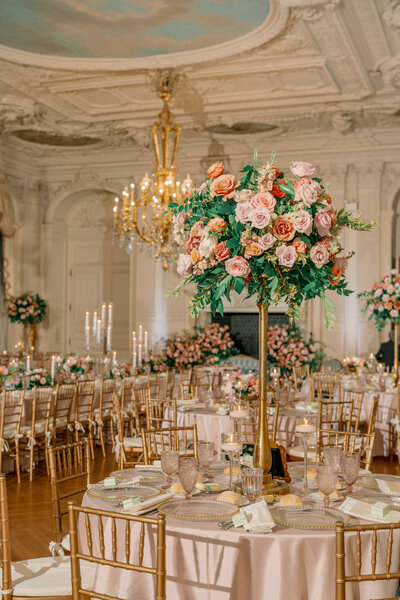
(125, 28)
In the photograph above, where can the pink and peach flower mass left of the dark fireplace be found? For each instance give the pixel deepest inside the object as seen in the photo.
(210, 344)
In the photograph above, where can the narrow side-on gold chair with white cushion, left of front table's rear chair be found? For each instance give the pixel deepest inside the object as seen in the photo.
(125, 446)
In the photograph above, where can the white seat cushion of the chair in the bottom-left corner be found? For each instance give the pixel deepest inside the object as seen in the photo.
(48, 576)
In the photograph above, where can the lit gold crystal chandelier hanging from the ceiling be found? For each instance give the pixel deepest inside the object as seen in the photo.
(141, 217)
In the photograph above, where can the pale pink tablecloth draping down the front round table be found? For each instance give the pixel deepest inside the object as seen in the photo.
(204, 562)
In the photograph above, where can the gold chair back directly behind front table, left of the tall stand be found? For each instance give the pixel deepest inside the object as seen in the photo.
(182, 439)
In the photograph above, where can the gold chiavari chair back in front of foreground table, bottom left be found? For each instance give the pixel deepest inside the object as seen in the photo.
(122, 546)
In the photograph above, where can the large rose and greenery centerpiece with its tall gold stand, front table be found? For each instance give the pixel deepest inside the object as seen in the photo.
(273, 235)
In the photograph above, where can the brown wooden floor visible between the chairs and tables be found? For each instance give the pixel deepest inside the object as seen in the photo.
(30, 508)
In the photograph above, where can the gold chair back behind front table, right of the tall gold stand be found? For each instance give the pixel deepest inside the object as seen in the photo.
(349, 441)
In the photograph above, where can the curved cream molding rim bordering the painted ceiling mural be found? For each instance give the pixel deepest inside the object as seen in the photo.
(272, 27)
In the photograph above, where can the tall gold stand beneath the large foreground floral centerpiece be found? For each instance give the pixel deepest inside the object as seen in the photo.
(262, 451)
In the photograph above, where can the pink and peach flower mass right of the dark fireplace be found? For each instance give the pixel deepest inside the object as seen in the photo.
(287, 348)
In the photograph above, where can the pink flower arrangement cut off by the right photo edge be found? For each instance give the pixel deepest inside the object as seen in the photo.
(382, 301)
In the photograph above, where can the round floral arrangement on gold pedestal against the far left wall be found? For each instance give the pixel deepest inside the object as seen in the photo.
(28, 309)
